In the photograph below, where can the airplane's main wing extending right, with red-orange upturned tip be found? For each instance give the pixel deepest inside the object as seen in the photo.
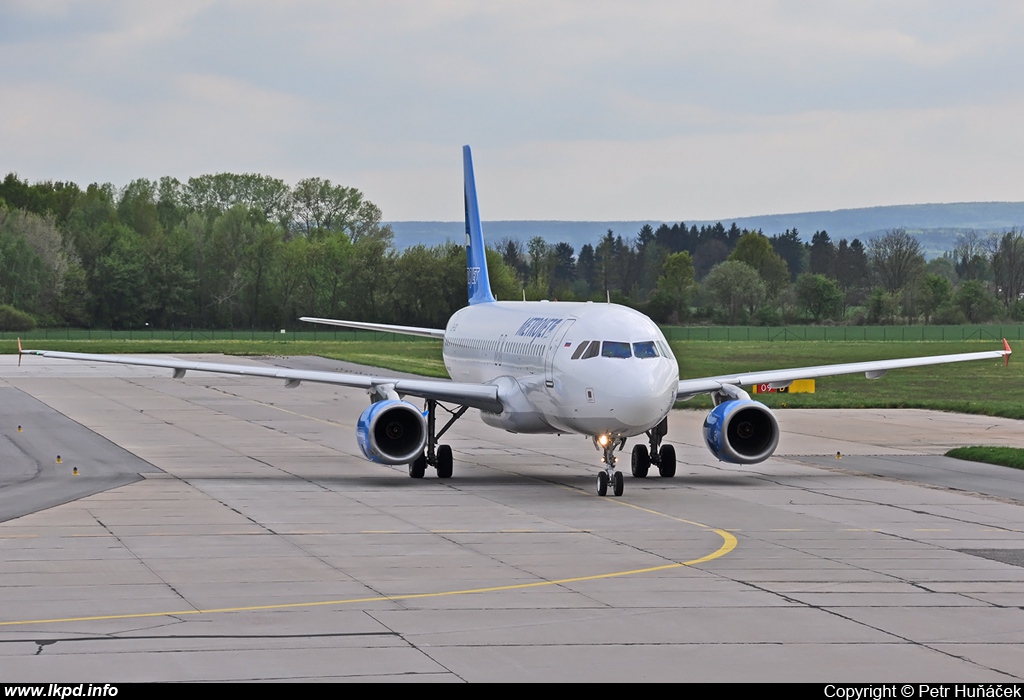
(778, 379)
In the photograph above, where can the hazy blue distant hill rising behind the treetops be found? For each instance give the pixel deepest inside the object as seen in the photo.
(936, 226)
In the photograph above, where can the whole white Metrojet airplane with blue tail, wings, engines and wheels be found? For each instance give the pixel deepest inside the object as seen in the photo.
(603, 371)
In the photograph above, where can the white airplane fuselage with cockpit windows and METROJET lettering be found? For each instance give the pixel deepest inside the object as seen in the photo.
(566, 367)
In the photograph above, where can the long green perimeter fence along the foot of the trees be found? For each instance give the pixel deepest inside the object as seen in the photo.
(1013, 332)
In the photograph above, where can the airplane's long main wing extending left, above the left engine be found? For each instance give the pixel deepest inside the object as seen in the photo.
(482, 397)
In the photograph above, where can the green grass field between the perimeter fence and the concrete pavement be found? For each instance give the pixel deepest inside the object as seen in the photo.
(985, 387)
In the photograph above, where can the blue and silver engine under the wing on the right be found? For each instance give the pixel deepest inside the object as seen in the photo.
(743, 432)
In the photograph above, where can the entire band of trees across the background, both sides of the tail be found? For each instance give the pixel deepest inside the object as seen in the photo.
(250, 251)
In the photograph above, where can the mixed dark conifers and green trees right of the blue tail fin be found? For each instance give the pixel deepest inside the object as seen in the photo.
(731, 276)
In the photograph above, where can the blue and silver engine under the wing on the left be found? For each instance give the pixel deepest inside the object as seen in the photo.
(392, 432)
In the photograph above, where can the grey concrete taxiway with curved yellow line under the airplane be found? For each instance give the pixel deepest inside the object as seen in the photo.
(224, 529)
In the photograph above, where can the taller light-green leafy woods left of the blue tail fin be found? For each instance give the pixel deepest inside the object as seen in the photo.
(219, 251)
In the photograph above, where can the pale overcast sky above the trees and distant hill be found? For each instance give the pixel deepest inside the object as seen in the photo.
(576, 111)
